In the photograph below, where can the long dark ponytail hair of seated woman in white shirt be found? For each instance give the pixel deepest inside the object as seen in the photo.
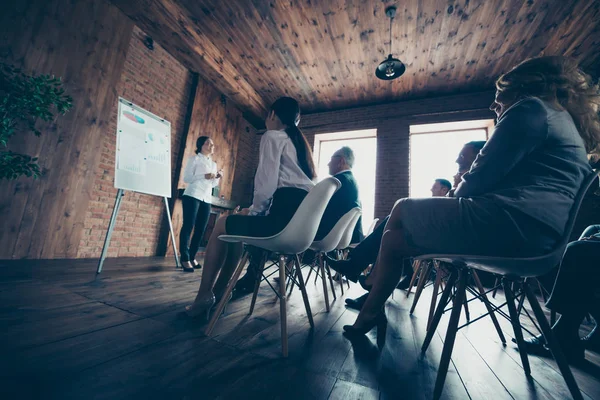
(288, 112)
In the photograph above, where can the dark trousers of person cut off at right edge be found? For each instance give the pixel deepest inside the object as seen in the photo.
(576, 286)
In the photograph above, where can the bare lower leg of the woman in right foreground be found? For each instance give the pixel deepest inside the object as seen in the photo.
(388, 269)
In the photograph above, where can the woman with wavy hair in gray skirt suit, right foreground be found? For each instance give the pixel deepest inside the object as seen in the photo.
(516, 198)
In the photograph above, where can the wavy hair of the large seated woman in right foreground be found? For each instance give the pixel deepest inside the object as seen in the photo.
(559, 81)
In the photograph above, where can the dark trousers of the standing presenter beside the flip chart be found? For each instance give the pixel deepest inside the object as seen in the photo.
(195, 217)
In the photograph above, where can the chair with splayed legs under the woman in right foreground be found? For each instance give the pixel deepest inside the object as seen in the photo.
(514, 270)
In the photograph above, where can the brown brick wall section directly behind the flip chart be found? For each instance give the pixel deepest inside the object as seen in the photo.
(154, 80)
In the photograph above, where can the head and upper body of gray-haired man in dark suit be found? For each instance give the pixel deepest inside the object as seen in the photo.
(346, 198)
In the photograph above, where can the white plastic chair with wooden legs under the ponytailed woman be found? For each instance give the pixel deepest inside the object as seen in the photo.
(295, 238)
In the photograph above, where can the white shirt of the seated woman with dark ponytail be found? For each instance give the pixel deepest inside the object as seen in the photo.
(277, 167)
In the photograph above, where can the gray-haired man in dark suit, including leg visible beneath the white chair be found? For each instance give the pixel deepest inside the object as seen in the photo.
(343, 200)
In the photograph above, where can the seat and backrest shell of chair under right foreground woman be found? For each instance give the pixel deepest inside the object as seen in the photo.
(524, 266)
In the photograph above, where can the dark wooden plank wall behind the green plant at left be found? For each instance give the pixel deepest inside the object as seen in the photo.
(85, 42)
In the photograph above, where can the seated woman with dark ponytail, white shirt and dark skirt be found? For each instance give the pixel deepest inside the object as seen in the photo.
(283, 178)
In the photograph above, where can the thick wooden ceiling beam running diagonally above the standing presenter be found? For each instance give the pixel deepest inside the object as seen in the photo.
(174, 28)
